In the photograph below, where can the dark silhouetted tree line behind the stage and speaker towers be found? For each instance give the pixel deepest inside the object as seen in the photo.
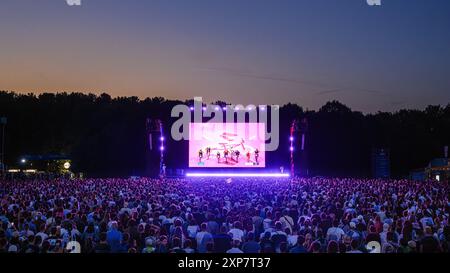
(107, 136)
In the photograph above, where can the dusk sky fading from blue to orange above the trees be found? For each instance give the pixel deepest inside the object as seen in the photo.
(242, 51)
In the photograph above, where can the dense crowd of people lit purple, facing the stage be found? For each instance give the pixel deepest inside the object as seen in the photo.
(302, 215)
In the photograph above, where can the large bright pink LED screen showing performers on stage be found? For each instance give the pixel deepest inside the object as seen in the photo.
(235, 145)
